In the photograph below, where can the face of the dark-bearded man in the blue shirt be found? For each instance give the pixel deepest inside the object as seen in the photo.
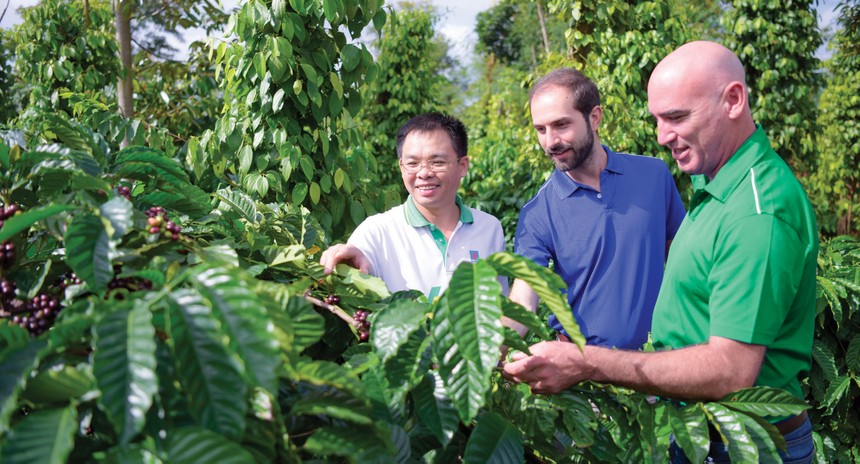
(565, 134)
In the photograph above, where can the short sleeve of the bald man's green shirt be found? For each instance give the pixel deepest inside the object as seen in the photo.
(755, 277)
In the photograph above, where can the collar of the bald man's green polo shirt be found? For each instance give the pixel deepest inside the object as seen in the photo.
(736, 168)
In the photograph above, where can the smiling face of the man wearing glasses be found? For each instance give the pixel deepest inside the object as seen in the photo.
(432, 192)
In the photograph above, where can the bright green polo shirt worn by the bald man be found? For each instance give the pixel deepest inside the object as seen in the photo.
(742, 266)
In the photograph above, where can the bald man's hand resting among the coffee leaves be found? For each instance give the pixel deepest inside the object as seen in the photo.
(552, 367)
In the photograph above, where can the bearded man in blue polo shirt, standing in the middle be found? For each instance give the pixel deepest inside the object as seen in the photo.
(604, 219)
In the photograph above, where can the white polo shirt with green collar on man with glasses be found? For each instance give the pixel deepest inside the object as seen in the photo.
(408, 252)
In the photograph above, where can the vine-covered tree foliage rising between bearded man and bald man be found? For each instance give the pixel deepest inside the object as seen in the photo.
(618, 44)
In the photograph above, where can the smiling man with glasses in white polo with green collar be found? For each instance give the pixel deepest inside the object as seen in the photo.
(420, 243)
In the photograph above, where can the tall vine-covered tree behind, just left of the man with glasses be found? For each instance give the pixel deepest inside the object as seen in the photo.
(292, 86)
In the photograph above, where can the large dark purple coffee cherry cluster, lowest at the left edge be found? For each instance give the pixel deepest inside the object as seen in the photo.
(36, 315)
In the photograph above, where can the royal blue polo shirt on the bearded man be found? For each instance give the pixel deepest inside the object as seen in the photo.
(609, 246)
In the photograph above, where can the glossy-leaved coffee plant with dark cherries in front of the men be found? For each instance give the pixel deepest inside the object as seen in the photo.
(229, 344)
